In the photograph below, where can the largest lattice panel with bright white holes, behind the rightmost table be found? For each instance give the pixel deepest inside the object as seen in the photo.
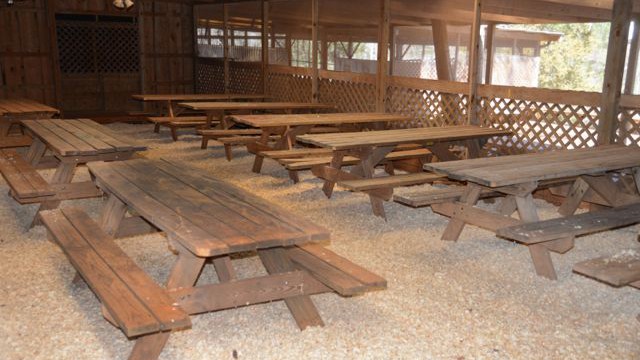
(540, 126)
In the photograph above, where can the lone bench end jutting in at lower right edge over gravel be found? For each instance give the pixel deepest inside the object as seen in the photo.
(616, 270)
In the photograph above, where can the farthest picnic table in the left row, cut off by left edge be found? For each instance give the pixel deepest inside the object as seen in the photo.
(12, 111)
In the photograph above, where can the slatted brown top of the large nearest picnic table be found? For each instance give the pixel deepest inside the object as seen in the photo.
(205, 215)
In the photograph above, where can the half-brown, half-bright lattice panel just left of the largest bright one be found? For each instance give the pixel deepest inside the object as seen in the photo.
(427, 107)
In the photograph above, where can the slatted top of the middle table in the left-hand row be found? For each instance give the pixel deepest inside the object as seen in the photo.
(79, 137)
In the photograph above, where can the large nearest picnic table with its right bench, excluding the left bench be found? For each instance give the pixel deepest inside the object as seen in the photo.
(206, 221)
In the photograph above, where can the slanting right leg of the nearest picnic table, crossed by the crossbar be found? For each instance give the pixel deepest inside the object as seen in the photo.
(304, 312)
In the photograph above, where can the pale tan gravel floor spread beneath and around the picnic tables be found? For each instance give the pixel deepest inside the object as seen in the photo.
(477, 298)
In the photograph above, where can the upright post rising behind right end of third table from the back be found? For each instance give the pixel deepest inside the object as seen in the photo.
(383, 53)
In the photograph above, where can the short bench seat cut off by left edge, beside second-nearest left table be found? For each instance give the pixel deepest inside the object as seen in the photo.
(22, 178)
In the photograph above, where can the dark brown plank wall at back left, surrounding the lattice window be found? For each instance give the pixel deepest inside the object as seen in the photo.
(29, 55)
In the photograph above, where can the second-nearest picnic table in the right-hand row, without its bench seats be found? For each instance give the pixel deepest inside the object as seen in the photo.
(372, 147)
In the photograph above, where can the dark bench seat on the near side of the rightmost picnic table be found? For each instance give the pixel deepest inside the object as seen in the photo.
(575, 225)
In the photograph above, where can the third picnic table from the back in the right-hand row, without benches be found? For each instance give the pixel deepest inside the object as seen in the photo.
(289, 126)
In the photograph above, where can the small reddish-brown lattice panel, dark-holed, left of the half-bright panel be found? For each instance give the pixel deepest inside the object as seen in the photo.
(348, 96)
